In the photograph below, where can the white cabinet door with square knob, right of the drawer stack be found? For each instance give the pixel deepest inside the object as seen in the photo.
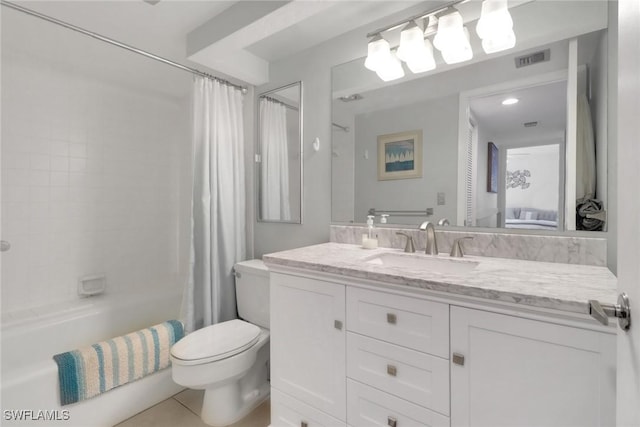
(519, 372)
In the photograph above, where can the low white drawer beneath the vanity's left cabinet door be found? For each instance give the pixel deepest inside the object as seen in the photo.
(290, 412)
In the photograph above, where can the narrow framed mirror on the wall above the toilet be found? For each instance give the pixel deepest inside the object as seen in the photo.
(279, 159)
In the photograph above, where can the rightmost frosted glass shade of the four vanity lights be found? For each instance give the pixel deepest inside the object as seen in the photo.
(495, 26)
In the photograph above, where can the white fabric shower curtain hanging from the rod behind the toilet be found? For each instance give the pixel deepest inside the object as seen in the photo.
(218, 204)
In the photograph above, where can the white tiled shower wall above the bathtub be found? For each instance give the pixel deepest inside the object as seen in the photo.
(94, 181)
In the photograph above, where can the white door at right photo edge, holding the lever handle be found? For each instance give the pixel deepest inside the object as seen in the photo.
(628, 389)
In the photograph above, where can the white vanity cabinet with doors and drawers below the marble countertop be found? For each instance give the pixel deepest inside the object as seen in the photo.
(361, 355)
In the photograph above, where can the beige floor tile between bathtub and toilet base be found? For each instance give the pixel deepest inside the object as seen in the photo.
(169, 413)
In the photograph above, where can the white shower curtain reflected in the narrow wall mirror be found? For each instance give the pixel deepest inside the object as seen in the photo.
(275, 205)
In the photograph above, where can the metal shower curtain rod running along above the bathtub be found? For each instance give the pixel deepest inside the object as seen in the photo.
(119, 44)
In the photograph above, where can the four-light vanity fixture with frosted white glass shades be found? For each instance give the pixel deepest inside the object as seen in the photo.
(452, 39)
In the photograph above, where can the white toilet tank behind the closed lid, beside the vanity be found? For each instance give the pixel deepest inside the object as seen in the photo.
(252, 292)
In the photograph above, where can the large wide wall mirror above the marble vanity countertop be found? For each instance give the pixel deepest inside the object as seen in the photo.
(485, 164)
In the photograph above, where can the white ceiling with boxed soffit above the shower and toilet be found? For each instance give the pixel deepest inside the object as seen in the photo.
(231, 38)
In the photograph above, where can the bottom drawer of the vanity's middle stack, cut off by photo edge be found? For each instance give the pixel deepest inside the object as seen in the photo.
(368, 407)
